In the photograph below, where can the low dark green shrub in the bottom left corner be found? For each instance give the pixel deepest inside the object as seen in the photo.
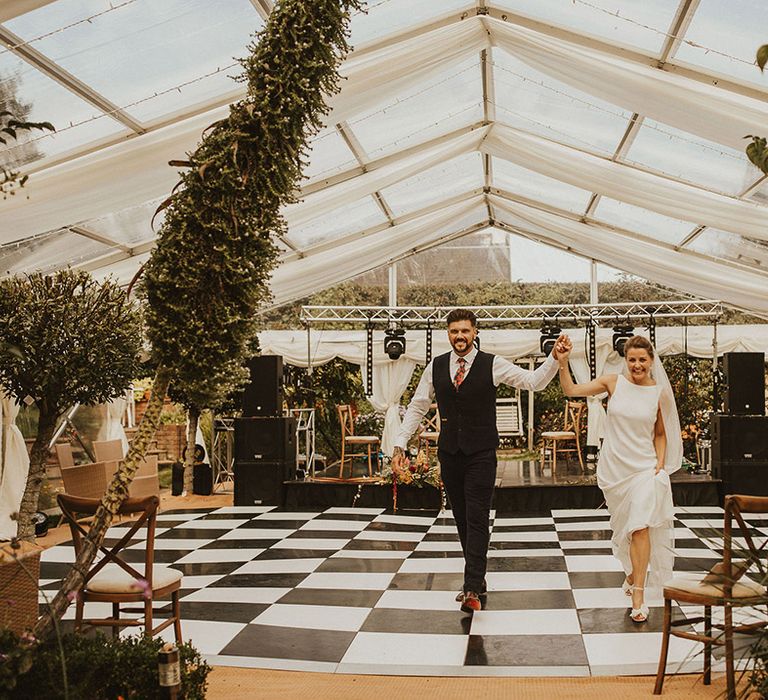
(96, 667)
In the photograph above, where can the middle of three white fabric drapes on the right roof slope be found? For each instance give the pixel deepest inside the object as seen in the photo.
(626, 183)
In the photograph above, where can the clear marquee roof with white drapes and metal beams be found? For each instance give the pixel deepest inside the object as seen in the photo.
(612, 129)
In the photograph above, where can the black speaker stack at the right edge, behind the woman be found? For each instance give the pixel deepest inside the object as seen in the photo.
(740, 436)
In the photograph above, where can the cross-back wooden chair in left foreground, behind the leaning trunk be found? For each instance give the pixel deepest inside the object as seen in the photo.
(114, 580)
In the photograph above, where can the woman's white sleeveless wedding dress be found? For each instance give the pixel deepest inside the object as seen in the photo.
(636, 496)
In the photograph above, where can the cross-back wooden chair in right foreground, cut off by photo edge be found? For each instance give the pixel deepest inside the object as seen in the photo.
(724, 586)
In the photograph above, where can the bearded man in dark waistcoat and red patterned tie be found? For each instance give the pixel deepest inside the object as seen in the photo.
(464, 383)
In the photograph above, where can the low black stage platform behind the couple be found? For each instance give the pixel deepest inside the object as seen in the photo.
(522, 486)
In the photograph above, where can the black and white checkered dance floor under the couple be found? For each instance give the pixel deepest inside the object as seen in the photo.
(363, 591)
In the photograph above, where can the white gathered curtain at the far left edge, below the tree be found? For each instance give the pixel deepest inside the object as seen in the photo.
(13, 479)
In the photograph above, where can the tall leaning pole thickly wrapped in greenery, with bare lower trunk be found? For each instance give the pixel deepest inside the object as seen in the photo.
(210, 271)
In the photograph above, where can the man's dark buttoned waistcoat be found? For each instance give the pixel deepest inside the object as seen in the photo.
(467, 414)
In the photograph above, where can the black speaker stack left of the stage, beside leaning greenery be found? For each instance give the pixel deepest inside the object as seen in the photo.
(265, 440)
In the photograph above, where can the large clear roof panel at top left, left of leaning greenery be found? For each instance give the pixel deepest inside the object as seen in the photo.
(145, 48)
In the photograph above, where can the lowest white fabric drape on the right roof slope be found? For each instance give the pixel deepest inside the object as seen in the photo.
(680, 269)
